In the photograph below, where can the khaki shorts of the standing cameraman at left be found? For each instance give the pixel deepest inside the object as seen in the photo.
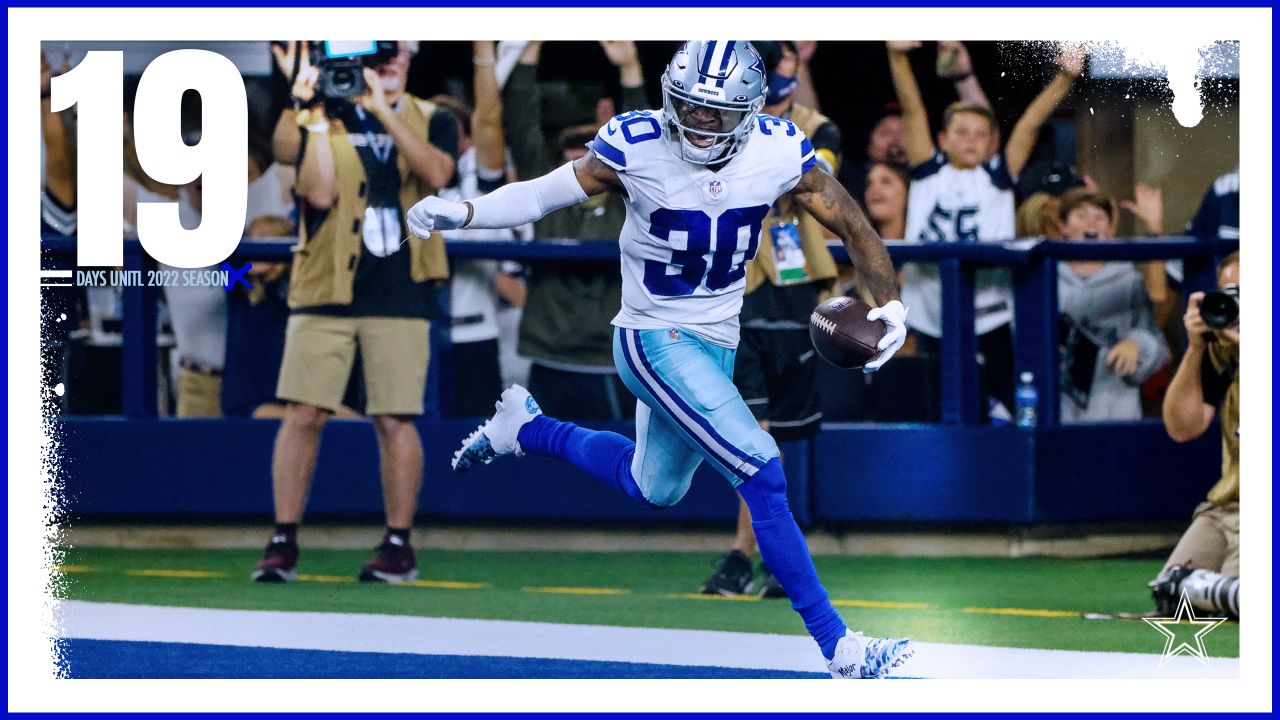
(319, 352)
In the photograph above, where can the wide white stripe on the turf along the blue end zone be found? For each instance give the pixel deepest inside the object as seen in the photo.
(505, 639)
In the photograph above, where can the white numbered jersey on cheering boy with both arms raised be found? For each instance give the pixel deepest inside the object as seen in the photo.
(948, 204)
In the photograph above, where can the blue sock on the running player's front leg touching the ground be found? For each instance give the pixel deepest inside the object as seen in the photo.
(784, 550)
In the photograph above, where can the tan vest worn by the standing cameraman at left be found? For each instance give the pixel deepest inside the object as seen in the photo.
(326, 261)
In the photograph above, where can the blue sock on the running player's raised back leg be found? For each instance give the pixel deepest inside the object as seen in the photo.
(604, 455)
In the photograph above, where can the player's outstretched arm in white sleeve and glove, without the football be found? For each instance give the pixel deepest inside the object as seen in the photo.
(519, 203)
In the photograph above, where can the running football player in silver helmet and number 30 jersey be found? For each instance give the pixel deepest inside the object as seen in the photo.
(700, 179)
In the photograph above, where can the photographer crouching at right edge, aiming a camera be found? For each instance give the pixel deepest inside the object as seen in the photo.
(1206, 563)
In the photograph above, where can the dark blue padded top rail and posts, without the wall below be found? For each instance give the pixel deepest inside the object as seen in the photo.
(1034, 266)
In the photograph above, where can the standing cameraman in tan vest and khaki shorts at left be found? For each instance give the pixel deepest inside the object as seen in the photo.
(369, 152)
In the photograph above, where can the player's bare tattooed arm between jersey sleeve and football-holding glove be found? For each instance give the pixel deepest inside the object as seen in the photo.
(831, 206)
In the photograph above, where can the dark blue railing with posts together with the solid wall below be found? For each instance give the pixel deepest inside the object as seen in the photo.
(957, 471)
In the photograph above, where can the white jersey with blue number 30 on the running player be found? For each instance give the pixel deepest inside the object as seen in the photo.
(691, 231)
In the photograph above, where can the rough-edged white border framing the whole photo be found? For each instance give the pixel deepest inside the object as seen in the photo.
(30, 683)
